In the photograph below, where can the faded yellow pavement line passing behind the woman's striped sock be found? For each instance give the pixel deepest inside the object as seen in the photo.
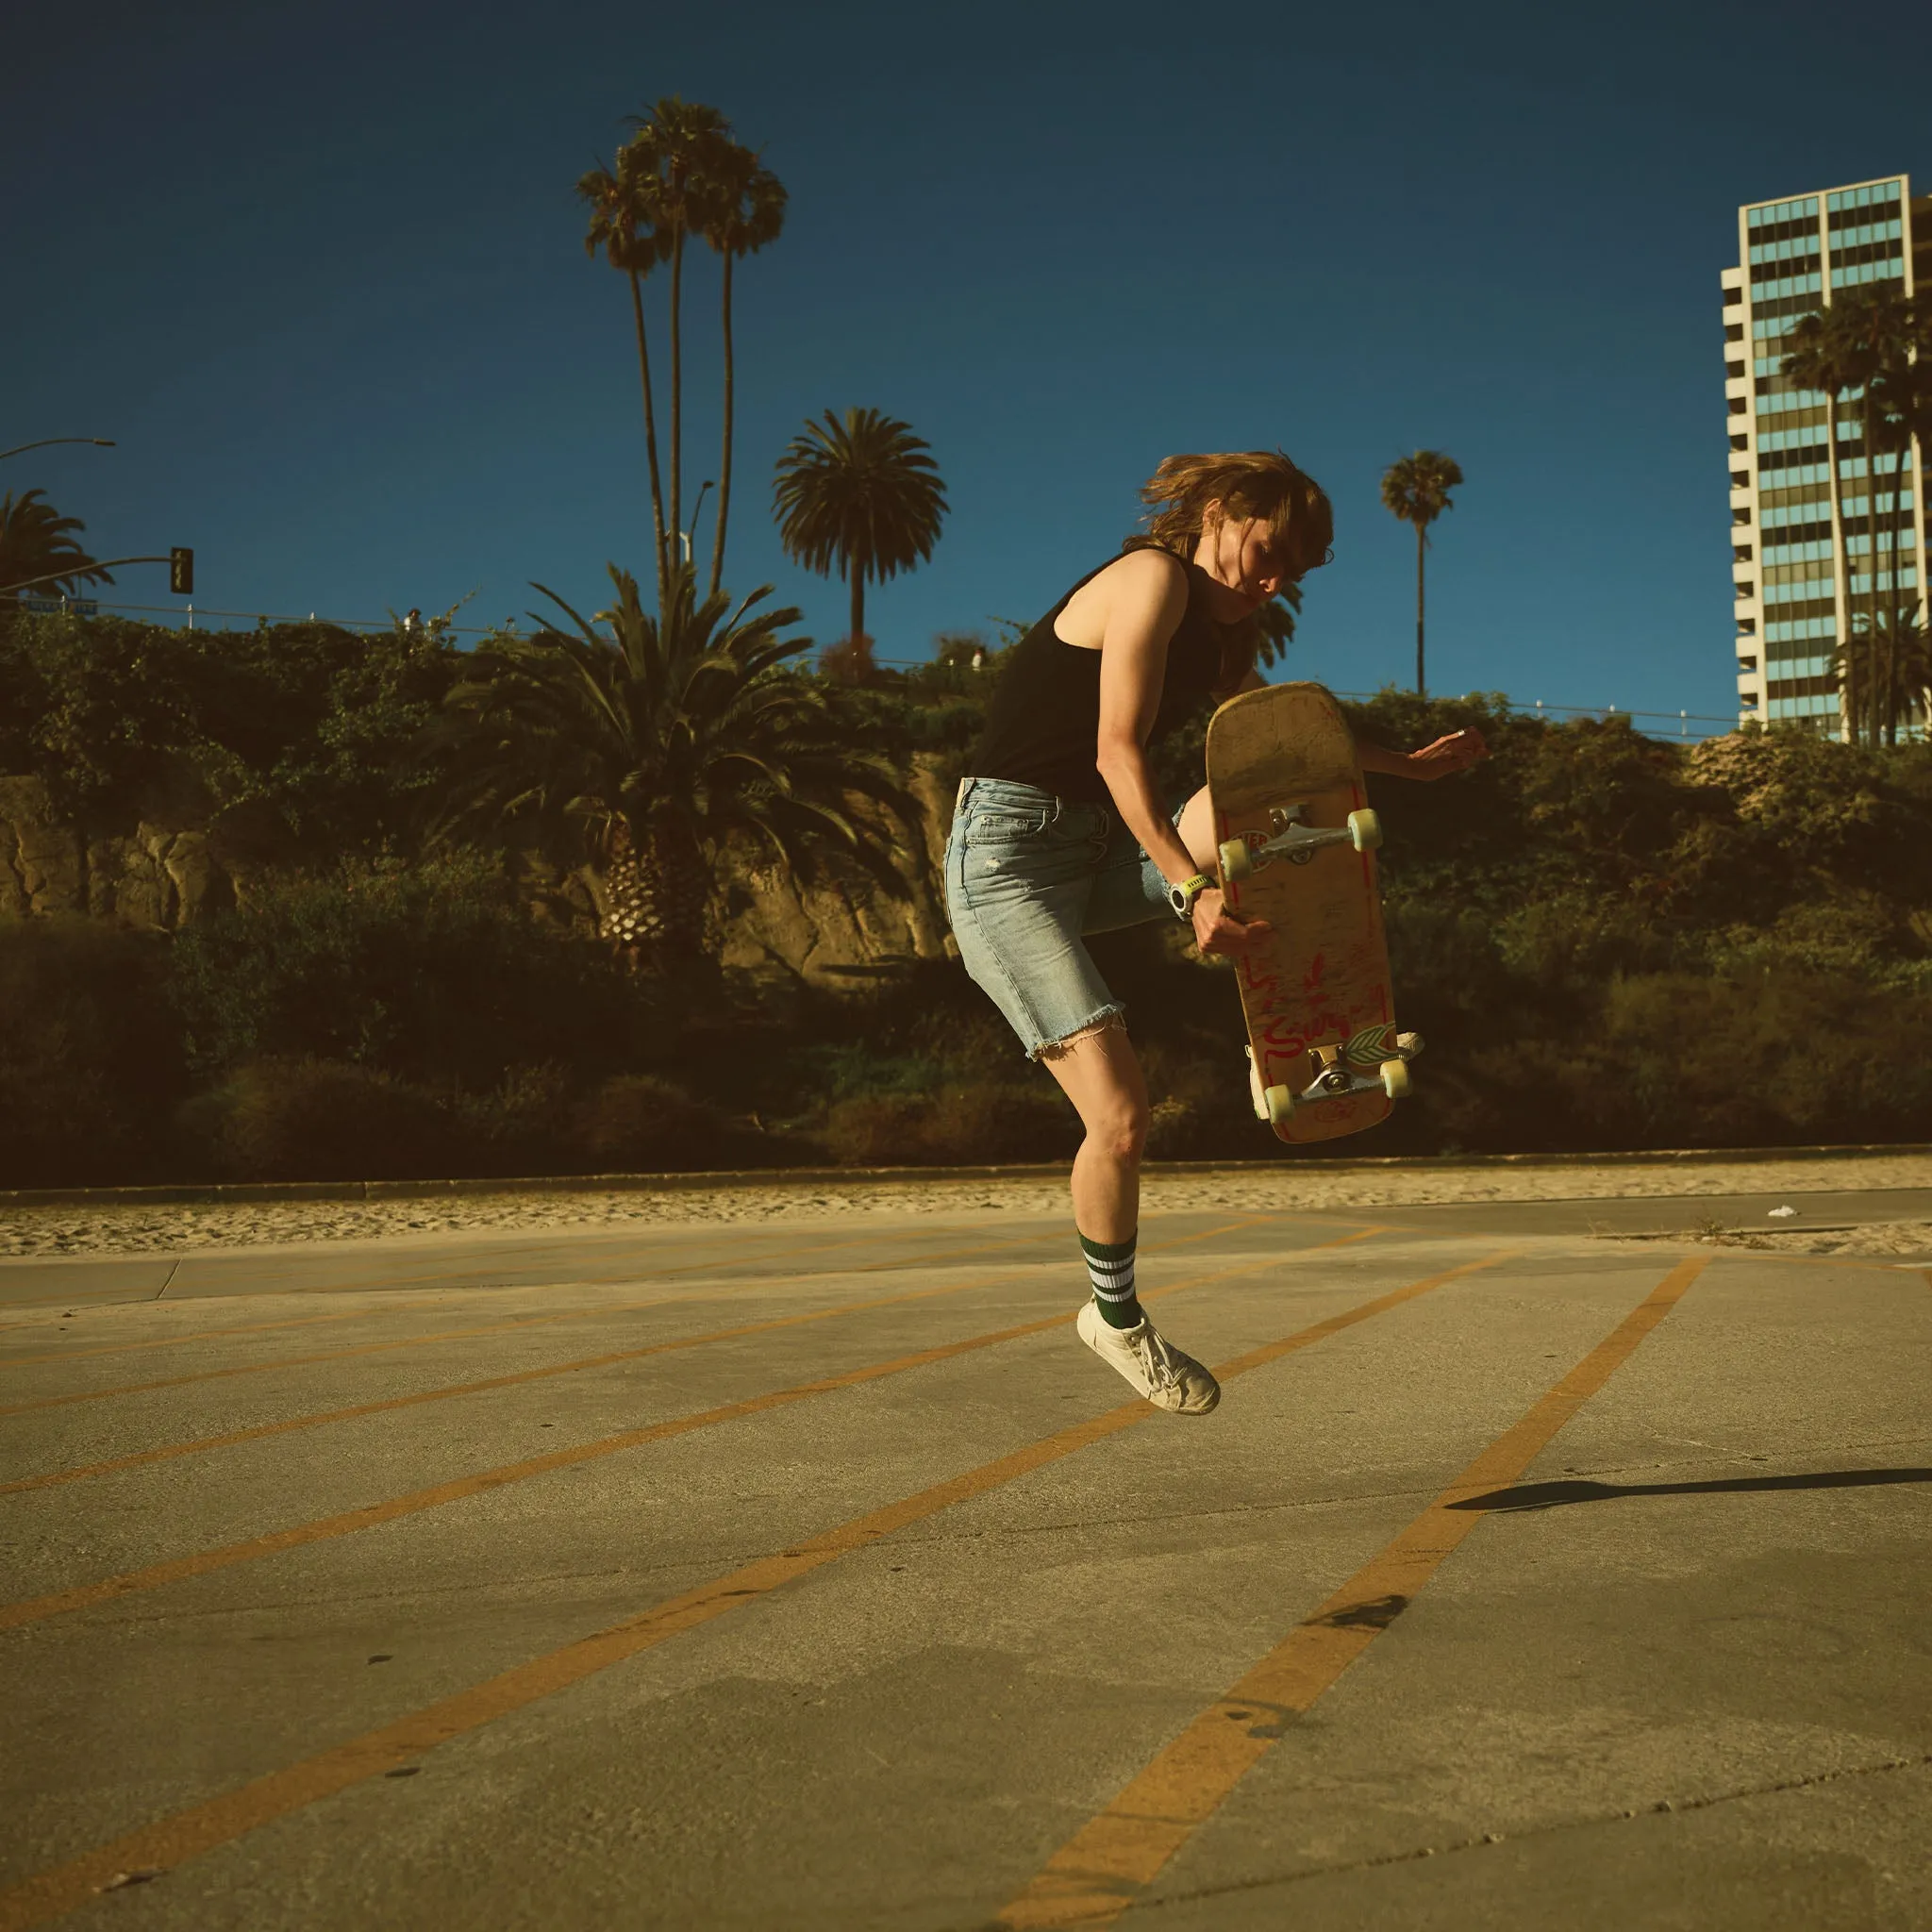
(345, 1523)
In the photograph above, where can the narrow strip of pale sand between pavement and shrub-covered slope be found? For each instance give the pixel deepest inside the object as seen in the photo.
(146, 1228)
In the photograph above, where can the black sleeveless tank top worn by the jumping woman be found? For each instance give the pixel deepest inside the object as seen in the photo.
(1042, 725)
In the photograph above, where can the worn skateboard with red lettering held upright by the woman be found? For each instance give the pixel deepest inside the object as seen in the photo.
(1299, 851)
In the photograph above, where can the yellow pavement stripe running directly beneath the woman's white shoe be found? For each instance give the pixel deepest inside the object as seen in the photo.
(186, 1834)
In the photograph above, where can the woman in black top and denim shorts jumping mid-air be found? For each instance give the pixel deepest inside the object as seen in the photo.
(1060, 830)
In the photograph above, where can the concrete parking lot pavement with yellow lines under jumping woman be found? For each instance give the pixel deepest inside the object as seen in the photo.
(816, 1577)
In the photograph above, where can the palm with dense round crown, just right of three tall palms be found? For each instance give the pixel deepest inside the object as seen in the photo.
(863, 497)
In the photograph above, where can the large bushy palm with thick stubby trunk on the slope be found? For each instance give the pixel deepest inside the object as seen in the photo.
(660, 743)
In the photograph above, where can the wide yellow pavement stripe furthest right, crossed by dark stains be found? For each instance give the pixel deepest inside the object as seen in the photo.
(1108, 1865)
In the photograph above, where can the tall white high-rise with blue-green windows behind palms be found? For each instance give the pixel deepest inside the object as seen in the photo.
(1802, 581)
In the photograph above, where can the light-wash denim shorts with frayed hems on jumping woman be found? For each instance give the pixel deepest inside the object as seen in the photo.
(1027, 876)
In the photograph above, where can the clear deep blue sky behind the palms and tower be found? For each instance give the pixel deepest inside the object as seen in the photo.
(322, 275)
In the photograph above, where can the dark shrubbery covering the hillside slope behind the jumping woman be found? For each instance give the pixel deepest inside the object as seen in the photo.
(1608, 944)
